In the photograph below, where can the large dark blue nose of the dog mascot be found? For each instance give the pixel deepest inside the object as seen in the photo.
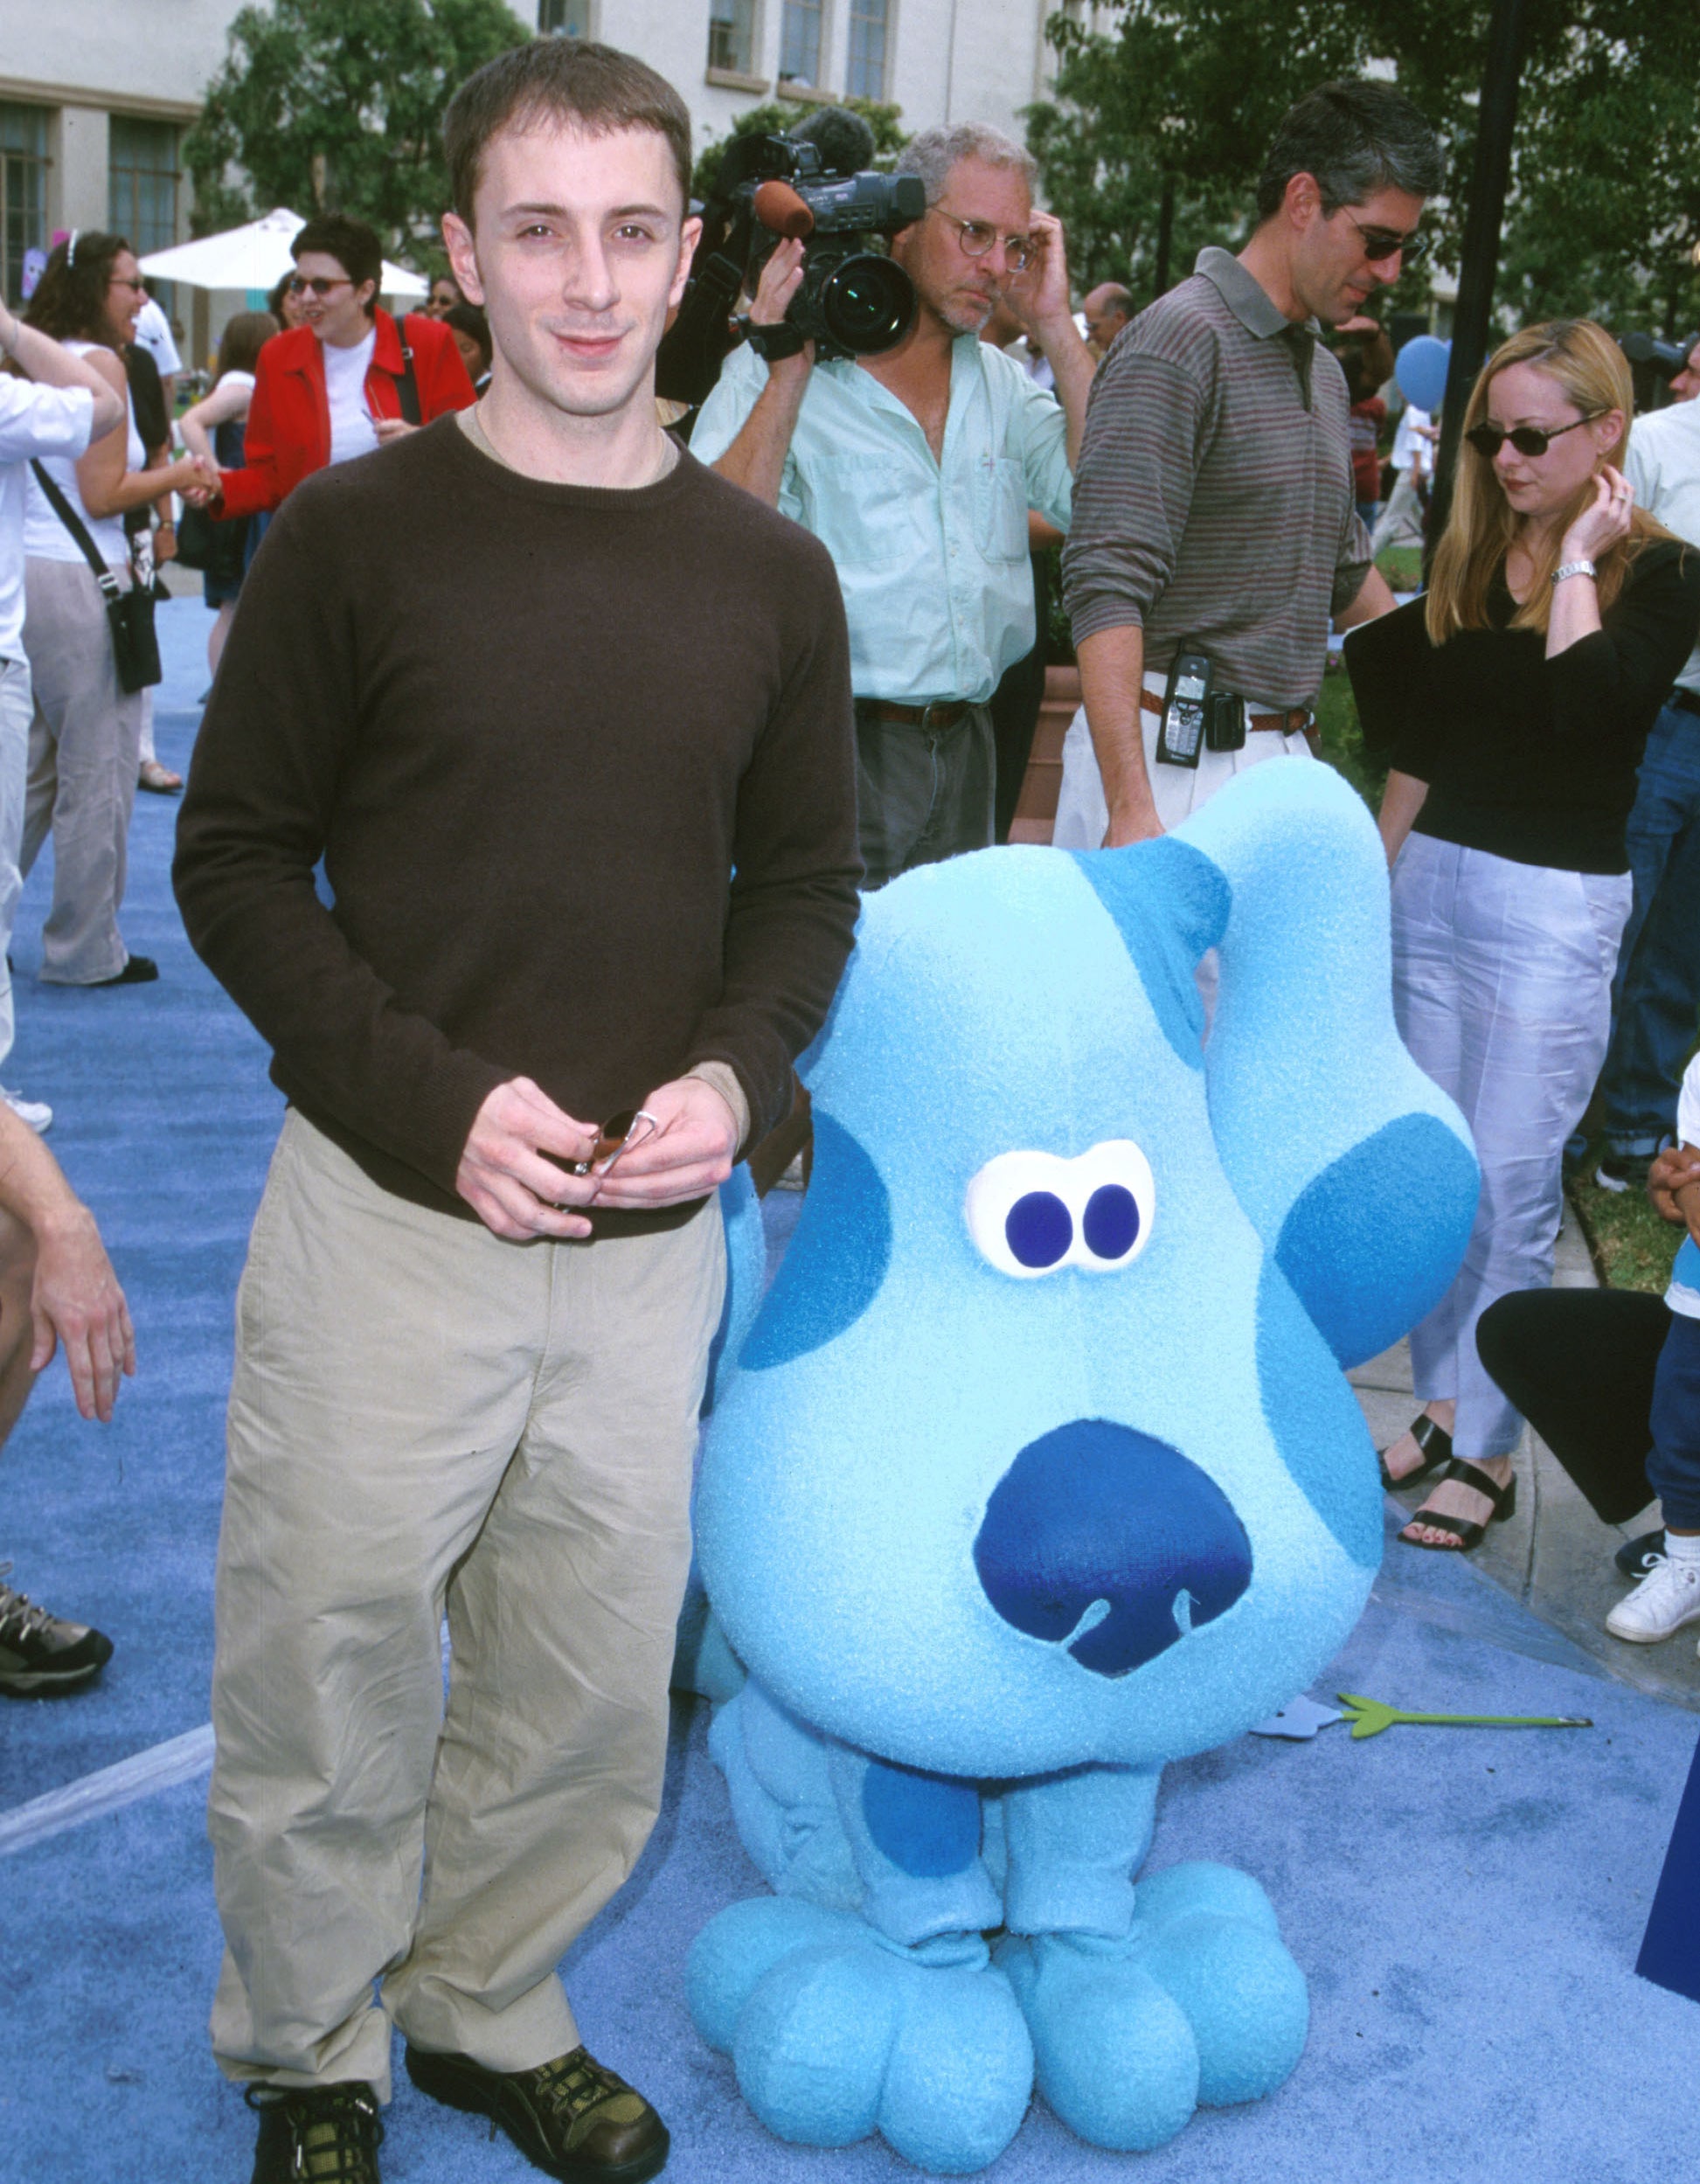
(1111, 1543)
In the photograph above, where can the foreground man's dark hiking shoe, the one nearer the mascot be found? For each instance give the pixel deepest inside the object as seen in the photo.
(569, 2117)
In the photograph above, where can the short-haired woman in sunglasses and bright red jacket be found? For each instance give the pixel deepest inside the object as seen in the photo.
(344, 381)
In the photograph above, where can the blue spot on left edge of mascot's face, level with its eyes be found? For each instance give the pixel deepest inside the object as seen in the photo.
(838, 1259)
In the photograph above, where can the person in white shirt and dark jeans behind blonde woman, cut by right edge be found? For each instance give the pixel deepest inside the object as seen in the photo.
(1660, 964)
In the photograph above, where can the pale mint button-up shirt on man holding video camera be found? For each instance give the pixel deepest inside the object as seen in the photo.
(932, 556)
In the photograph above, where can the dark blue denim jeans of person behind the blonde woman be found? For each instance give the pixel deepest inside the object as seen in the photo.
(1657, 990)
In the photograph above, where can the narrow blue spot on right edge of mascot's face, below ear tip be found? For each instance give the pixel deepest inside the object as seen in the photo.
(1317, 1423)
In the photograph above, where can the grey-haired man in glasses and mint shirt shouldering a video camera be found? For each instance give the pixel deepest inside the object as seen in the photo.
(917, 471)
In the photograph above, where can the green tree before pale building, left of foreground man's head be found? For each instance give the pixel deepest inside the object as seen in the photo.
(338, 106)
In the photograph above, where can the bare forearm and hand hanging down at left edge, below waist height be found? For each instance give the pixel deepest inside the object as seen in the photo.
(75, 1296)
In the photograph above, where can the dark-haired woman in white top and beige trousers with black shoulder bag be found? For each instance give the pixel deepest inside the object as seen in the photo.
(88, 628)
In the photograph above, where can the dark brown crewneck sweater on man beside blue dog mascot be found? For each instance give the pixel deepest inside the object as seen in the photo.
(582, 774)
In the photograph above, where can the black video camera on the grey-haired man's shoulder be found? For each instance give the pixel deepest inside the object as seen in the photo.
(853, 302)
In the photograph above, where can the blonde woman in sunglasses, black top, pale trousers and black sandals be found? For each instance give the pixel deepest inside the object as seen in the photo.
(1515, 700)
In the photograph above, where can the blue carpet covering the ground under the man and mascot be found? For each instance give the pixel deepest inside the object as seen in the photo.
(1465, 1903)
